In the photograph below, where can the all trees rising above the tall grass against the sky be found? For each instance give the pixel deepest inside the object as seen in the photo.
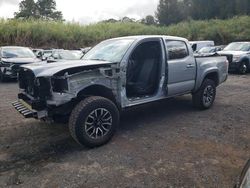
(168, 11)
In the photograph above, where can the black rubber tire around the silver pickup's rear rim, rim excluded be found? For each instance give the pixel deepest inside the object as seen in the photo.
(198, 97)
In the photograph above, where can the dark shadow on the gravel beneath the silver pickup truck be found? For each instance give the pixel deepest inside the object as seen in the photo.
(56, 142)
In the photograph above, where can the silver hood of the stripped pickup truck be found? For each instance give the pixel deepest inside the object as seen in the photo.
(49, 69)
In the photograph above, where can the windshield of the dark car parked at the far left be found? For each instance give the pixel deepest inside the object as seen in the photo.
(17, 53)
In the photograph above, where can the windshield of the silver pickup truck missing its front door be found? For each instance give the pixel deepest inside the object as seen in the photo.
(112, 50)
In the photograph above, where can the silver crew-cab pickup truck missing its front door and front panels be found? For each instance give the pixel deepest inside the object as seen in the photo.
(114, 75)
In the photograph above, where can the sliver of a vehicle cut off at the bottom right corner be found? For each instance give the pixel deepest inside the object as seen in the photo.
(244, 181)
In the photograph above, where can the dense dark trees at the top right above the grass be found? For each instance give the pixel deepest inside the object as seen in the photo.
(174, 11)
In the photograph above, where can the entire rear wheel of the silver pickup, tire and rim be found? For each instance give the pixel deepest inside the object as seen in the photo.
(205, 96)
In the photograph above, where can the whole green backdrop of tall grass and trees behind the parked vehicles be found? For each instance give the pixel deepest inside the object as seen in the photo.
(39, 24)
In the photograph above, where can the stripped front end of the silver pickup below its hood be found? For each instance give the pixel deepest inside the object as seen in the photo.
(46, 97)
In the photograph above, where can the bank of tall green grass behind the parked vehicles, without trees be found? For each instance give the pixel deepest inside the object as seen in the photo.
(61, 35)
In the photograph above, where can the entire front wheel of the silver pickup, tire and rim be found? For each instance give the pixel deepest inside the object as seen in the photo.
(93, 122)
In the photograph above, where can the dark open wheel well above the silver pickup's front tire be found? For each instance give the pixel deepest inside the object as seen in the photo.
(97, 90)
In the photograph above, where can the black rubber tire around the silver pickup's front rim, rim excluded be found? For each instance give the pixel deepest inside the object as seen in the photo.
(79, 117)
